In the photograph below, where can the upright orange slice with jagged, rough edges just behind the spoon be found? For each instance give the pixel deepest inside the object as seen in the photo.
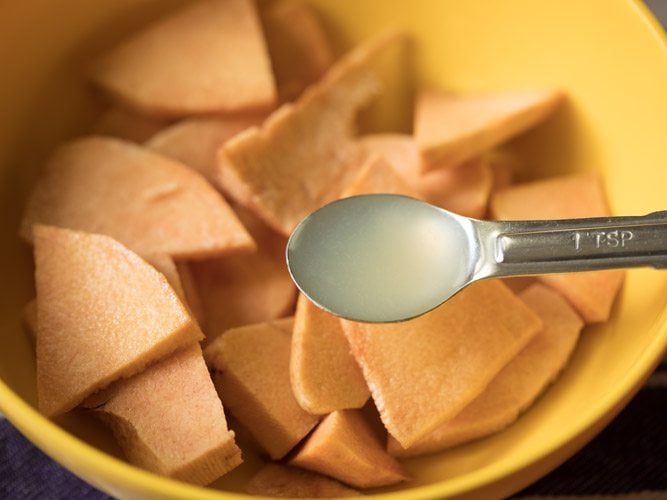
(303, 155)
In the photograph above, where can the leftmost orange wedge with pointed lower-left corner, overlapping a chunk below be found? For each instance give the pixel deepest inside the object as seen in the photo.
(102, 313)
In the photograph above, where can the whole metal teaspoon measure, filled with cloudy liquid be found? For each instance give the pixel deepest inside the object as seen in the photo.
(383, 257)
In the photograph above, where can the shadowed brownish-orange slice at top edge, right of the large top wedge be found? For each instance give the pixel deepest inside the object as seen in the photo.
(300, 50)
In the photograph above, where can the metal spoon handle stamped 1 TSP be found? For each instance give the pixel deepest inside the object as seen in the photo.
(555, 246)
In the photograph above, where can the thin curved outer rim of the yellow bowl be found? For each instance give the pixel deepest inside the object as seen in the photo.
(34, 425)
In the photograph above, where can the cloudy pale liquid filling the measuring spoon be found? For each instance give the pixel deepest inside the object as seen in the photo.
(379, 257)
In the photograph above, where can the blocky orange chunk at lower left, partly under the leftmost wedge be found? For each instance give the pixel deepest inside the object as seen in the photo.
(168, 419)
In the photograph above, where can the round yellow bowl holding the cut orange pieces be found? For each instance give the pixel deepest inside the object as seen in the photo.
(609, 55)
